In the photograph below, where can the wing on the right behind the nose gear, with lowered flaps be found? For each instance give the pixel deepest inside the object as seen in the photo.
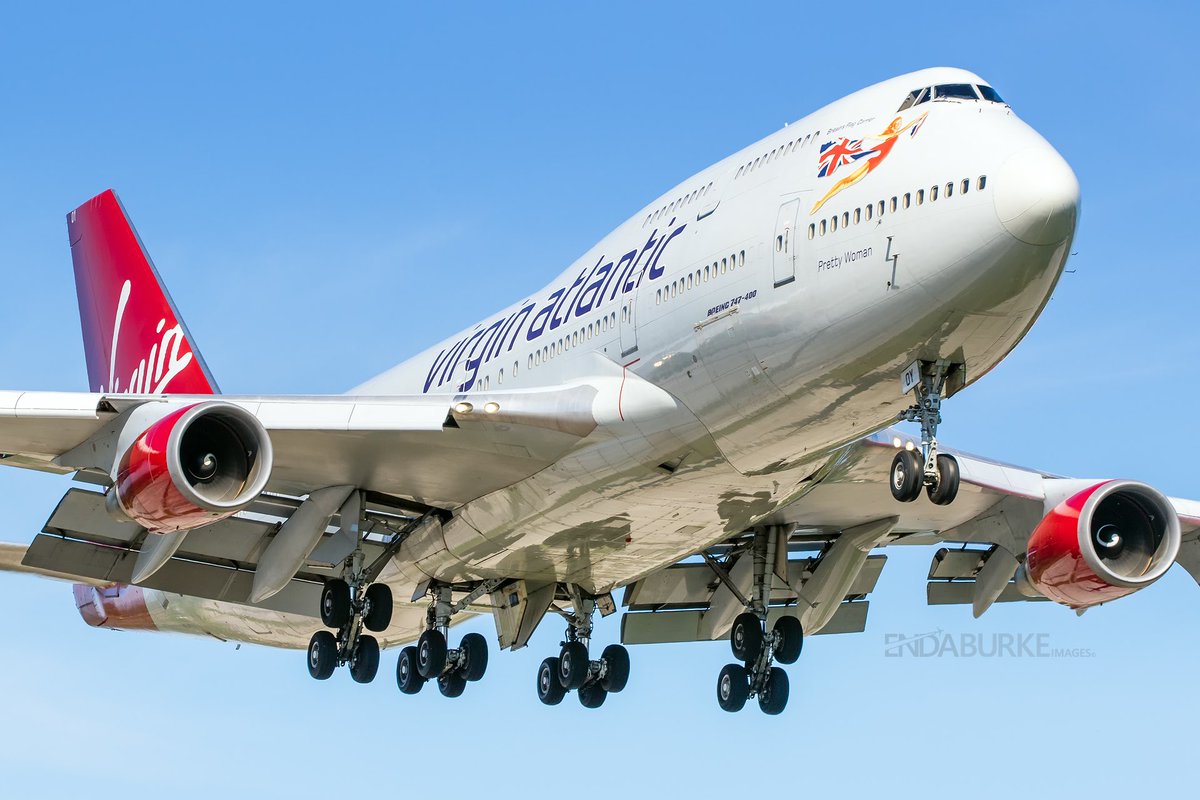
(837, 534)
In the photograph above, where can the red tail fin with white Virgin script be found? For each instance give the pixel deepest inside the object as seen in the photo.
(134, 339)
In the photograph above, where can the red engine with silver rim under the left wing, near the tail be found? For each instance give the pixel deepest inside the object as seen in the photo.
(191, 468)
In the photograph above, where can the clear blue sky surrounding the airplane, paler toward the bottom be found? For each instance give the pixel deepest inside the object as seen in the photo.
(327, 194)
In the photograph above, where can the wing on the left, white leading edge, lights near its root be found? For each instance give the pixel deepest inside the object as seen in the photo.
(439, 452)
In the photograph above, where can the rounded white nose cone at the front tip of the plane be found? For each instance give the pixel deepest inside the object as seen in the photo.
(1037, 196)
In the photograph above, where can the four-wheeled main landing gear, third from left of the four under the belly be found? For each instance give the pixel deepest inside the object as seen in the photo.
(593, 679)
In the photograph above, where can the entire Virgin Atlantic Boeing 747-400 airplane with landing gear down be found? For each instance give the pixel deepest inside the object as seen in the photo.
(698, 414)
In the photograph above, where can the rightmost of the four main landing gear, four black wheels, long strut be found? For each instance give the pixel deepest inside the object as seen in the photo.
(758, 649)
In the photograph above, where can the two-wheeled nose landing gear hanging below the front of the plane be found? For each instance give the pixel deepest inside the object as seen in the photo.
(913, 472)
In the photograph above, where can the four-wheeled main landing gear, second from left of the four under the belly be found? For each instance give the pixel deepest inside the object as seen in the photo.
(431, 659)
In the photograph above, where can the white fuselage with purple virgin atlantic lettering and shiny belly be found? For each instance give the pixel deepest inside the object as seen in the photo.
(779, 329)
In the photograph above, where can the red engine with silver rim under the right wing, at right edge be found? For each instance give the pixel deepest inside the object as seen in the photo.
(1105, 543)
